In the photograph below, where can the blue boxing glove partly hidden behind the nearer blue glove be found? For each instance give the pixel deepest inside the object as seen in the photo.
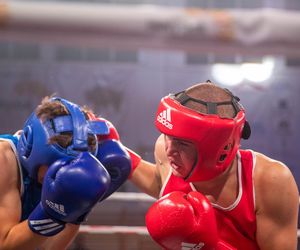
(116, 160)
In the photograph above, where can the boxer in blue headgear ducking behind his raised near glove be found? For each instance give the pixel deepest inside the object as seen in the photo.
(49, 172)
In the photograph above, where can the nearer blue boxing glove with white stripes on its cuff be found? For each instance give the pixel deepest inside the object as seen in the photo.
(69, 192)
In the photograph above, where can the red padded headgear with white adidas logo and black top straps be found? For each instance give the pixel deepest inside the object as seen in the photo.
(216, 139)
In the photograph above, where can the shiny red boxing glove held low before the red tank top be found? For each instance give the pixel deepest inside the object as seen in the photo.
(180, 220)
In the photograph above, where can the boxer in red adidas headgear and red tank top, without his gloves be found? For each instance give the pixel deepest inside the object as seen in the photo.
(199, 150)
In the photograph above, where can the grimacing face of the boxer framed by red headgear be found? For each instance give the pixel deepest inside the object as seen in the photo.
(181, 154)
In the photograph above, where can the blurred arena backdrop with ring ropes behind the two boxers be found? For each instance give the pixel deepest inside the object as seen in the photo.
(119, 57)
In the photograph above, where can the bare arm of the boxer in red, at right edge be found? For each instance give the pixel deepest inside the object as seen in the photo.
(277, 201)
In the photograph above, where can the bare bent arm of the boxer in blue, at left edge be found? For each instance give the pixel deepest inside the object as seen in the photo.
(13, 234)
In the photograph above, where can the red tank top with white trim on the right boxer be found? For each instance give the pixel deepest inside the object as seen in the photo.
(236, 223)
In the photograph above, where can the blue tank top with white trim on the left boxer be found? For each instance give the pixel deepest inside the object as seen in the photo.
(30, 189)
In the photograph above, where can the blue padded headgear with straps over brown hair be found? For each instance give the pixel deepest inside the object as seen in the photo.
(34, 148)
